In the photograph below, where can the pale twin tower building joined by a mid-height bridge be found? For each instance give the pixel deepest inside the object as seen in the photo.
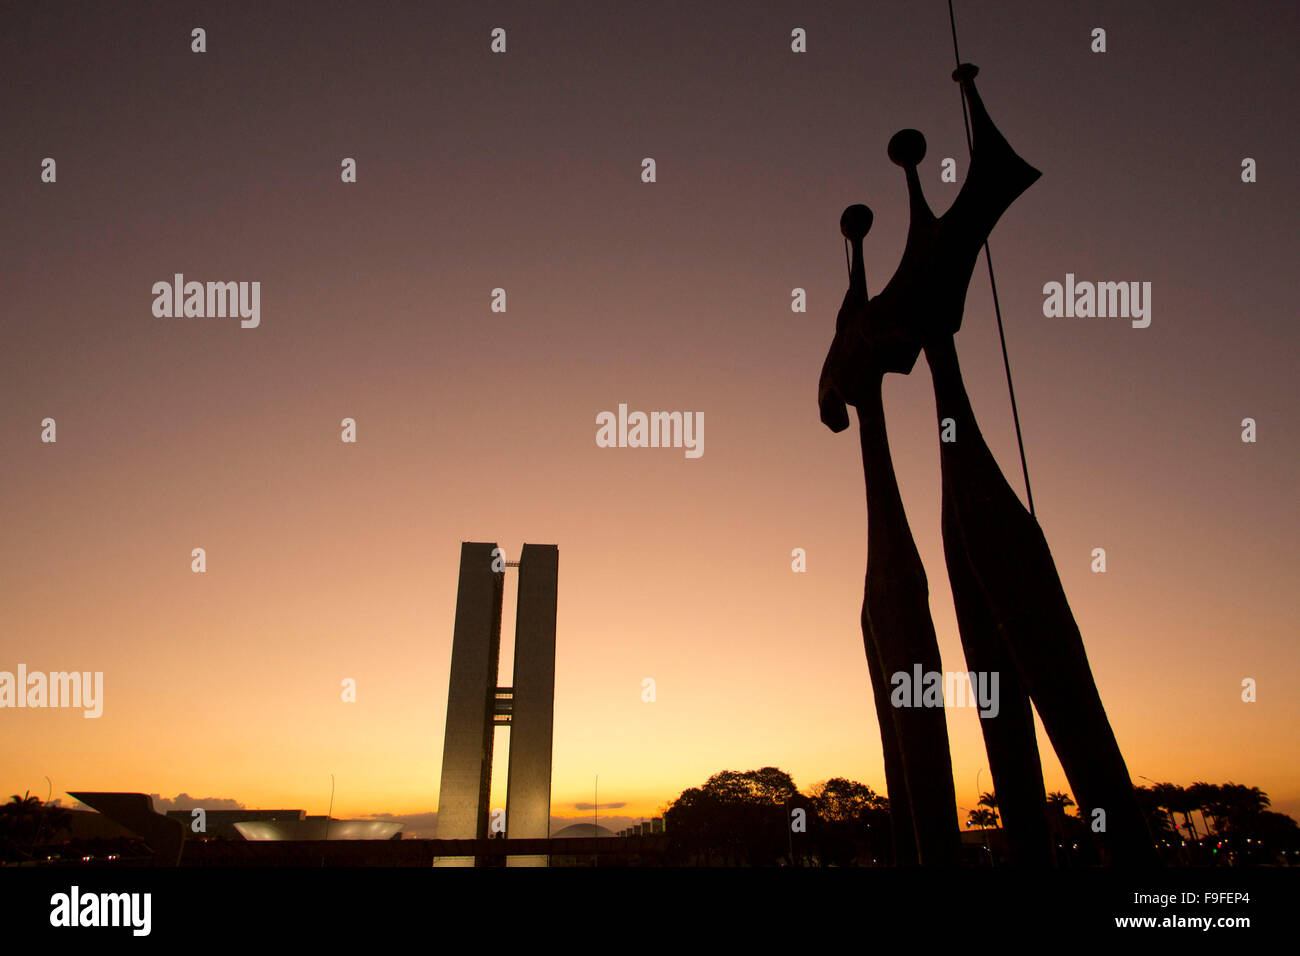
(478, 704)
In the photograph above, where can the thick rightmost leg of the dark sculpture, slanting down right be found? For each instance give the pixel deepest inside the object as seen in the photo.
(1011, 560)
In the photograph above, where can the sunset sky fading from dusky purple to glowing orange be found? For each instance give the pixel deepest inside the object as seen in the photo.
(523, 171)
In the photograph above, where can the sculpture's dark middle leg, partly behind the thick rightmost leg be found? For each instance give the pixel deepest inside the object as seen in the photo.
(1009, 738)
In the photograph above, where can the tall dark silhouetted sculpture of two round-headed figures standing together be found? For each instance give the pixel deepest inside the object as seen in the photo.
(1013, 616)
